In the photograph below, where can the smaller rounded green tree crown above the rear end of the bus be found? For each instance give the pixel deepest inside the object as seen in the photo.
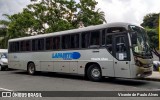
(21, 24)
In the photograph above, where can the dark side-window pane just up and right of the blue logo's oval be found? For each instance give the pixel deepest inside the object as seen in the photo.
(85, 40)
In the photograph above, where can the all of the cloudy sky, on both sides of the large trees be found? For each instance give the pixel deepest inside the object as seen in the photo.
(131, 11)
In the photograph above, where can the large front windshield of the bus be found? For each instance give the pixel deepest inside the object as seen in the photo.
(141, 47)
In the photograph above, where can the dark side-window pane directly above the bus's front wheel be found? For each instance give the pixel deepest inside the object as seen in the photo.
(94, 40)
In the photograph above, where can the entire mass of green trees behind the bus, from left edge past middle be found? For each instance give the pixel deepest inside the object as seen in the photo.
(45, 16)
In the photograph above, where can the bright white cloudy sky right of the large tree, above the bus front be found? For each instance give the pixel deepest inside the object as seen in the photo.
(131, 11)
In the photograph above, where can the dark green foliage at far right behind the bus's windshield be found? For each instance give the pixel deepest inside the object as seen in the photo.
(150, 23)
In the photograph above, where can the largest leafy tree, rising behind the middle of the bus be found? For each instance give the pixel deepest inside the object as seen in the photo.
(62, 15)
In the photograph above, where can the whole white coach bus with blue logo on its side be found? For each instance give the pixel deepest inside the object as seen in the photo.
(107, 50)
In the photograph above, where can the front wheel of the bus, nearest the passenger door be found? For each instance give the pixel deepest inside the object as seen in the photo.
(94, 73)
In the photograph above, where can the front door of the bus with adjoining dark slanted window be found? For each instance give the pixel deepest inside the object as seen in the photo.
(120, 52)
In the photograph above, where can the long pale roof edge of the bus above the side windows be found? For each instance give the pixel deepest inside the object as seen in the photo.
(89, 28)
